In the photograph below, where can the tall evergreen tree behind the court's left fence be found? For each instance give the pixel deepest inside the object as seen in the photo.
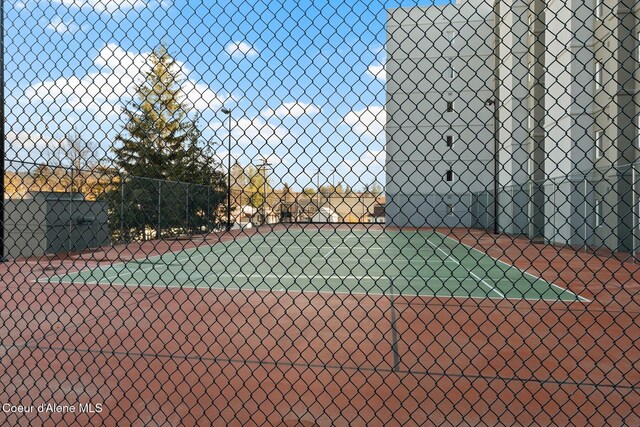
(161, 141)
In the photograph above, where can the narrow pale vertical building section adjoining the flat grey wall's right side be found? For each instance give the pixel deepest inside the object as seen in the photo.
(519, 94)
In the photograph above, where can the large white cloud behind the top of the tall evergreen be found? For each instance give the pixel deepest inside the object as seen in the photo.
(115, 83)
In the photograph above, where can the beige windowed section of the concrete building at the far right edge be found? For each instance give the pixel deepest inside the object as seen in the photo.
(616, 48)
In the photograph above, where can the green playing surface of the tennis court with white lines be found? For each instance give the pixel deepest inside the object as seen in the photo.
(355, 262)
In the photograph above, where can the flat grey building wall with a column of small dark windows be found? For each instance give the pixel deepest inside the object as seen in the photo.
(439, 77)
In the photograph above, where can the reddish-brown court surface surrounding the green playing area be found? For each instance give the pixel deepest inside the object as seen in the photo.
(195, 357)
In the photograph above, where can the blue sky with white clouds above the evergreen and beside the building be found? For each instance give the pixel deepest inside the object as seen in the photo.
(304, 79)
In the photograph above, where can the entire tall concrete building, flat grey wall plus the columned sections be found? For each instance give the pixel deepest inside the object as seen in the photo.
(564, 82)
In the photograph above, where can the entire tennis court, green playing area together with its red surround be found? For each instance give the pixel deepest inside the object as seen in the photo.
(385, 318)
